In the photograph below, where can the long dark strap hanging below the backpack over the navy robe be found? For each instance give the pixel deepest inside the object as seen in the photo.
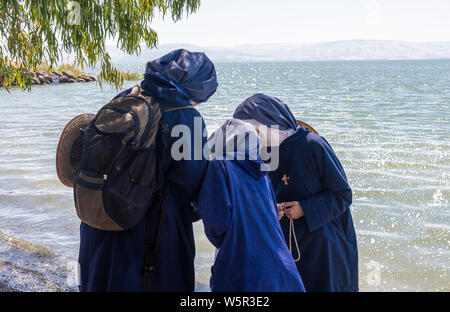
(153, 237)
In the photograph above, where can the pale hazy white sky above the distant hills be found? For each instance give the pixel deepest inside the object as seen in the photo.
(231, 22)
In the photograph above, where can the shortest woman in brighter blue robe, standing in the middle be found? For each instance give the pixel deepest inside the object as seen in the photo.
(238, 208)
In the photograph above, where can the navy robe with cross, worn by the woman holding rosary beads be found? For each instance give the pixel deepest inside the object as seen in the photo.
(326, 235)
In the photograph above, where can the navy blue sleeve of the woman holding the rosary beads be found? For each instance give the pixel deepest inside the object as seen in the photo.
(336, 196)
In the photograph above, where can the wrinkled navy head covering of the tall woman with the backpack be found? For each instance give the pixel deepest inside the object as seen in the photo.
(180, 78)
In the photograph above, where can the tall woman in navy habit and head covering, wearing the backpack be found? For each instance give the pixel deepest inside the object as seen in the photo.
(114, 261)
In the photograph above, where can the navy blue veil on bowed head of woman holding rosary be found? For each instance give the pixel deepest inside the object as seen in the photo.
(266, 110)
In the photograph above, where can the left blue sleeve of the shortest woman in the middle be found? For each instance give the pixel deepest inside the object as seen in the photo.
(214, 206)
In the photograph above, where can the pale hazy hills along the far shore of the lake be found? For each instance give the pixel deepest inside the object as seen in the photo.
(326, 51)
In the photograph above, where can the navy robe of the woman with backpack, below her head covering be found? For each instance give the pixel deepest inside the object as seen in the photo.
(114, 261)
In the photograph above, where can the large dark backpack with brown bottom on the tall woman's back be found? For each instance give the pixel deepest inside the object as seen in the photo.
(119, 175)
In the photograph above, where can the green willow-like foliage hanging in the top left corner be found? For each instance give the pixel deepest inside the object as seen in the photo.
(33, 32)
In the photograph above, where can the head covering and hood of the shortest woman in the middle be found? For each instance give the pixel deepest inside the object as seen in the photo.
(238, 141)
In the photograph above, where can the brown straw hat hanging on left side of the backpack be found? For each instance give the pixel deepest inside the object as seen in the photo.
(68, 146)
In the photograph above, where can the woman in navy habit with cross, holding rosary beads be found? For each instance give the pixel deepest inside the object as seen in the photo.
(313, 195)
